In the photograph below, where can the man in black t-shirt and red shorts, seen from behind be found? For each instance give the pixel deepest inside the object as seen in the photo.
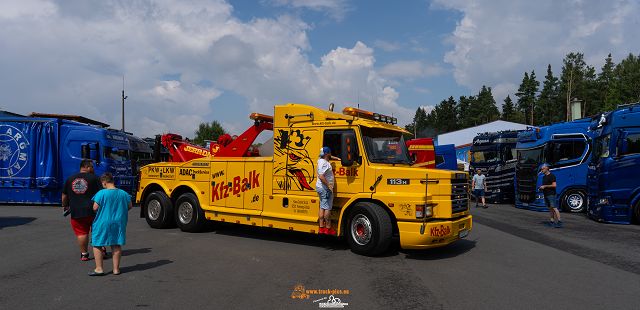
(78, 191)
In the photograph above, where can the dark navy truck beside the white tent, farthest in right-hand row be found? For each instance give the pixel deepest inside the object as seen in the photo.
(495, 154)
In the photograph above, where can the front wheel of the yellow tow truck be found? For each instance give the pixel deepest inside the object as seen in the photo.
(369, 229)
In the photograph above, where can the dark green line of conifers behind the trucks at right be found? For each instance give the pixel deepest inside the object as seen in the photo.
(537, 103)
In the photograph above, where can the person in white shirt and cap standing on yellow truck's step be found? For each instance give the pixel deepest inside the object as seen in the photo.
(324, 187)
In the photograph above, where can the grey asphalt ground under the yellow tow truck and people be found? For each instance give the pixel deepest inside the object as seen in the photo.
(509, 261)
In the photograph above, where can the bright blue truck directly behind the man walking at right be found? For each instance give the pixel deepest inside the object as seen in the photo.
(566, 147)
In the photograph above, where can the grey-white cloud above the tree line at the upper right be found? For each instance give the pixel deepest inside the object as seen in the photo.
(495, 42)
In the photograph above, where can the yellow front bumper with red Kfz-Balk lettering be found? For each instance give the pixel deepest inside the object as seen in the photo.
(436, 233)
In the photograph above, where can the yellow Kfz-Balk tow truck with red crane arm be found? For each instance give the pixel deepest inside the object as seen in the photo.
(378, 195)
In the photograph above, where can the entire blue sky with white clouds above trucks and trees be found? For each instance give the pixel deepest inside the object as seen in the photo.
(191, 61)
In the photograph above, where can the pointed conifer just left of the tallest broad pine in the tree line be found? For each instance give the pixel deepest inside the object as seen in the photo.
(546, 110)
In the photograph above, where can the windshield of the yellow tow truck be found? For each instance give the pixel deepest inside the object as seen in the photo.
(385, 146)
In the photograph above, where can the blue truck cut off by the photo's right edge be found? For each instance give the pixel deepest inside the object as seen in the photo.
(614, 171)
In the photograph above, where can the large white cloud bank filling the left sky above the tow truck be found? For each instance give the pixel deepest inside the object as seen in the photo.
(178, 59)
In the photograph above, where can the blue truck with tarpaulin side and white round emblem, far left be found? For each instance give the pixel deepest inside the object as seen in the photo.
(38, 153)
